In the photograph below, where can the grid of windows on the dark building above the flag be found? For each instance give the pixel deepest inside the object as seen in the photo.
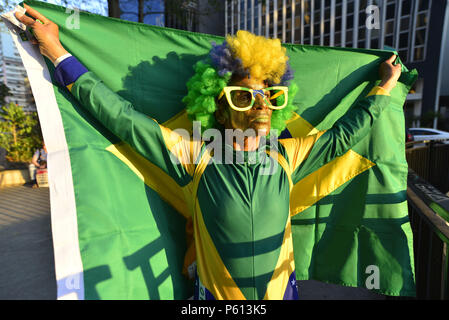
(323, 22)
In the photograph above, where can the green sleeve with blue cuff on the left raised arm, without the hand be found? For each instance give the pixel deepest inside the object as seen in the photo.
(118, 115)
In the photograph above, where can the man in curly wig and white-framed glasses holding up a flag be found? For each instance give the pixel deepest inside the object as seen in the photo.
(240, 216)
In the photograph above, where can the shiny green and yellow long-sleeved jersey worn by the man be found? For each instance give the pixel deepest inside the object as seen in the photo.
(239, 215)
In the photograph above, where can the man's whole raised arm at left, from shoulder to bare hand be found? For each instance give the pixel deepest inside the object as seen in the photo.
(161, 146)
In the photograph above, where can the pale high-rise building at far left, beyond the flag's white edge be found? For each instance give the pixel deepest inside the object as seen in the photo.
(13, 74)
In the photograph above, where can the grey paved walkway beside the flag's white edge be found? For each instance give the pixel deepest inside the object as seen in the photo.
(26, 248)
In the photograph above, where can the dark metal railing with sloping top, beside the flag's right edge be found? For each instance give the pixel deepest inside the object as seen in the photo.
(429, 216)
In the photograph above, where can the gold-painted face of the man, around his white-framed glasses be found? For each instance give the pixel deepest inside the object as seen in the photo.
(257, 118)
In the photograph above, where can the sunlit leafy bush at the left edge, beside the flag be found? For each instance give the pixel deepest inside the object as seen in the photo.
(19, 133)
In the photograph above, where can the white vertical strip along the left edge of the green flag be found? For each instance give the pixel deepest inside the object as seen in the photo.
(64, 224)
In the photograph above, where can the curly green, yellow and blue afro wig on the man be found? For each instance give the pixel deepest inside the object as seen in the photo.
(244, 54)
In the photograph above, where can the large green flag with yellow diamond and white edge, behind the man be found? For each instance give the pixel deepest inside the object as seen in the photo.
(116, 237)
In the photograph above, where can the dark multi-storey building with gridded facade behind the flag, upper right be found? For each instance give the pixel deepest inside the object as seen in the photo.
(414, 28)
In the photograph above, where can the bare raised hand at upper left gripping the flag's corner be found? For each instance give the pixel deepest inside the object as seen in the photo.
(46, 33)
